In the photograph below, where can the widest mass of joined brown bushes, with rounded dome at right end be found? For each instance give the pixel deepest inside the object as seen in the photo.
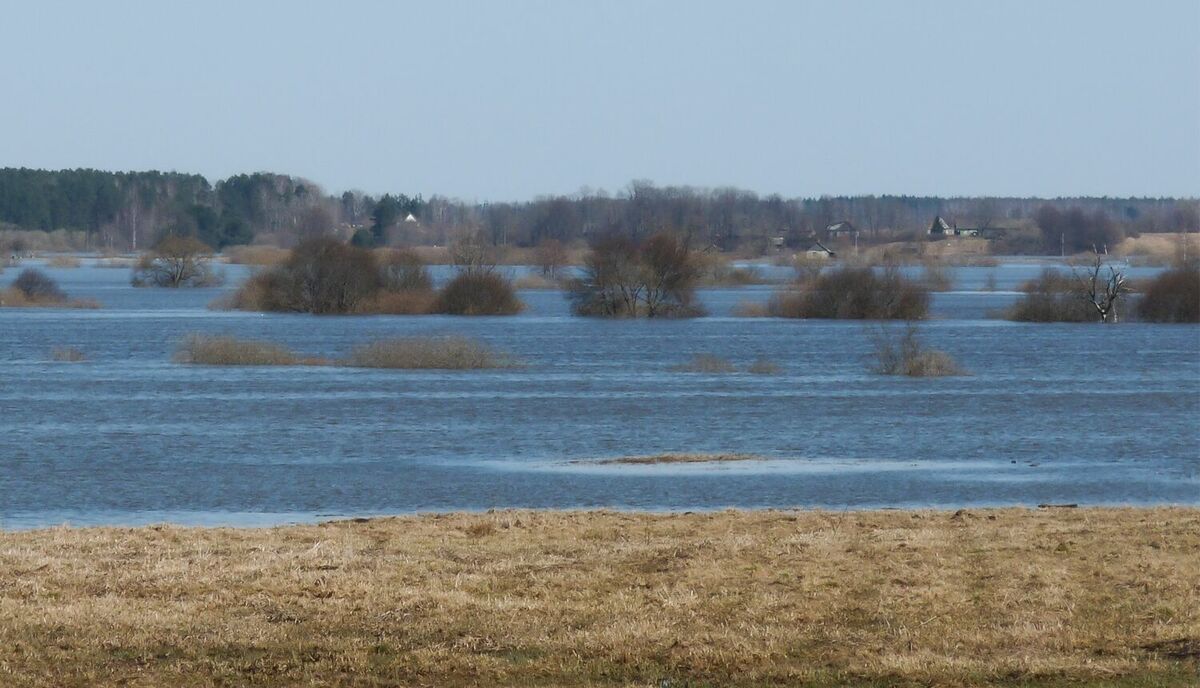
(327, 277)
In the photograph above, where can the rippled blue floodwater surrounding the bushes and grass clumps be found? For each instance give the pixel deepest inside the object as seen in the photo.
(1058, 414)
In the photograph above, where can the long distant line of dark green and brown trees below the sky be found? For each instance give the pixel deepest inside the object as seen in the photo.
(135, 210)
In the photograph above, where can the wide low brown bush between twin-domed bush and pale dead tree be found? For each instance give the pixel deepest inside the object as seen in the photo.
(854, 294)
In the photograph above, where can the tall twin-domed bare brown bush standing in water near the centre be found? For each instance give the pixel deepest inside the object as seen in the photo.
(655, 279)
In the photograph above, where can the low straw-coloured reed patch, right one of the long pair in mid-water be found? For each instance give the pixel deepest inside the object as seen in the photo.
(419, 354)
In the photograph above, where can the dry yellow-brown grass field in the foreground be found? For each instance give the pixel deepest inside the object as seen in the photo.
(1010, 597)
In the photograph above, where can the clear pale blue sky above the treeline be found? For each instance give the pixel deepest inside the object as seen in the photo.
(509, 101)
